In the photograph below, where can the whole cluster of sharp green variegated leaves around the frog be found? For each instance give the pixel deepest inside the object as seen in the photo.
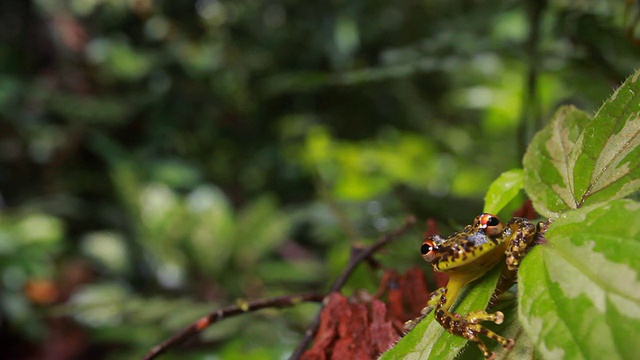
(579, 290)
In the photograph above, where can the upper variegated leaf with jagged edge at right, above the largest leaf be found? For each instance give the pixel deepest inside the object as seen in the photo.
(576, 161)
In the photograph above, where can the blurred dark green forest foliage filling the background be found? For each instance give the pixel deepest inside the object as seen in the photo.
(178, 155)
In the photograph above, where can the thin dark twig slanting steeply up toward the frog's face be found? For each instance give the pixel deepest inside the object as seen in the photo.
(357, 256)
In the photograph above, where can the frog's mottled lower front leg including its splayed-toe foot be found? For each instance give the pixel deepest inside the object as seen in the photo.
(467, 326)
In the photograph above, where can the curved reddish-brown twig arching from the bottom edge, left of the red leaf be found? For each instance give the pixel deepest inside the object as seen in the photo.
(204, 322)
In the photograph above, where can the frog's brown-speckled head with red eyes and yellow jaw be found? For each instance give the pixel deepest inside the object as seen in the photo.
(466, 246)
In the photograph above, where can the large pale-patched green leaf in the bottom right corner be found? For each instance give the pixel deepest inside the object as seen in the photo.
(580, 292)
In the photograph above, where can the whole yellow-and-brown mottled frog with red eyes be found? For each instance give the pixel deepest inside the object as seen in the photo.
(466, 256)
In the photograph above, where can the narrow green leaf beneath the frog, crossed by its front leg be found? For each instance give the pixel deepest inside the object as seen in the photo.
(429, 340)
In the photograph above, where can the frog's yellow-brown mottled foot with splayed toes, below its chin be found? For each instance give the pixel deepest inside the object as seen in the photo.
(468, 327)
